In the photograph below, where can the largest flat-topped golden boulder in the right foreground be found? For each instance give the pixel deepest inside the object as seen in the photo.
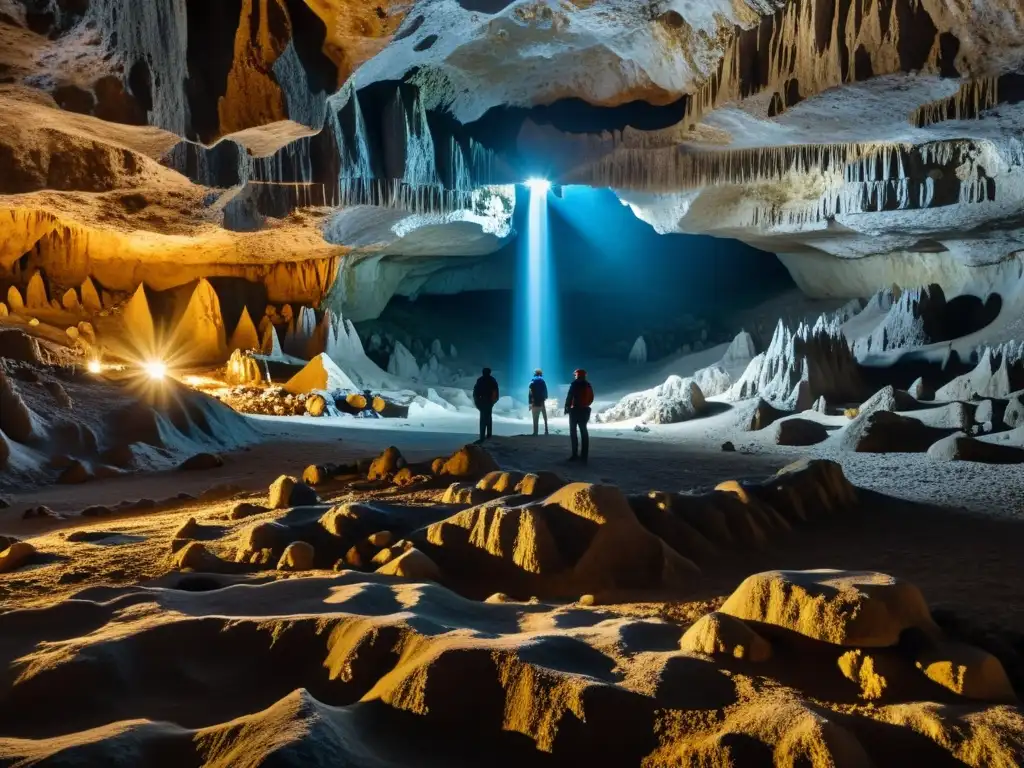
(849, 609)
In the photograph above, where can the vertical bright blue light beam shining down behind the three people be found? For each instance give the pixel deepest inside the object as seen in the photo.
(536, 340)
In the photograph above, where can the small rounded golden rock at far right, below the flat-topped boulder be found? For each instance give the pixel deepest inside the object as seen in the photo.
(967, 671)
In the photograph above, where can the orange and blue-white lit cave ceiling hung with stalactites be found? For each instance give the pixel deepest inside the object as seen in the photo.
(865, 142)
